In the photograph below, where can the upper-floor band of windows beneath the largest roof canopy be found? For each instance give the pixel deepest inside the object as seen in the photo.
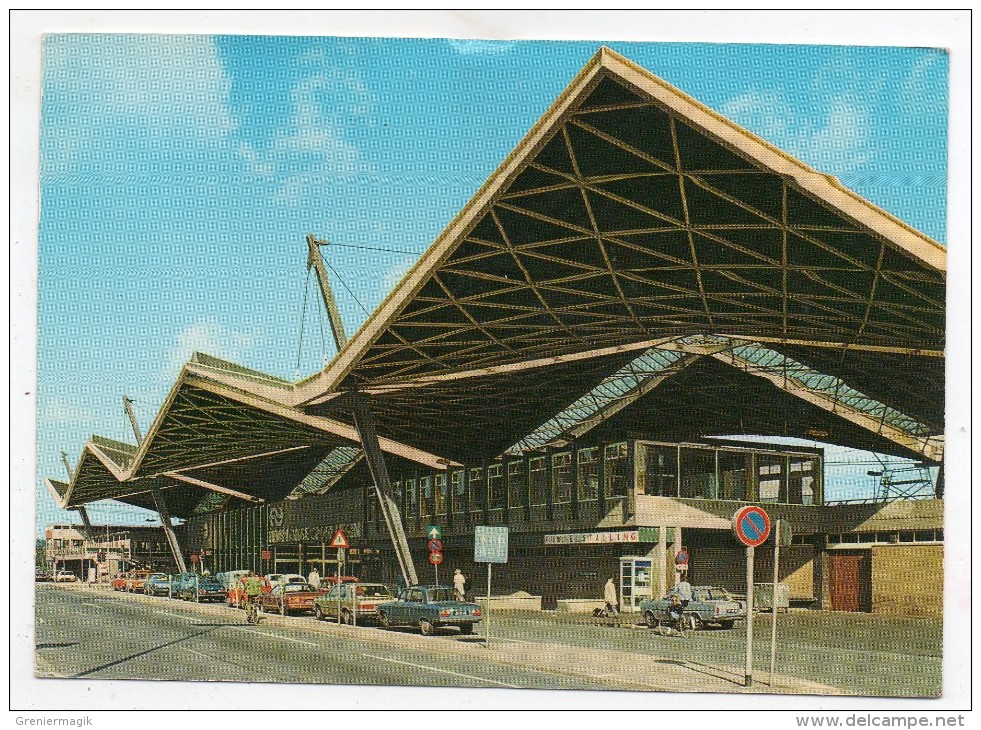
(592, 476)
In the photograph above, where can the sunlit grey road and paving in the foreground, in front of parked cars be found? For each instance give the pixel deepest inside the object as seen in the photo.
(97, 634)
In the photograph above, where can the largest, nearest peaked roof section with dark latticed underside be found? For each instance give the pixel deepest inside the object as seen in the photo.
(584, 238)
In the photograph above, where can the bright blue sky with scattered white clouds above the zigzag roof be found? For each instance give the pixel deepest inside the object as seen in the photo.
(180, 175)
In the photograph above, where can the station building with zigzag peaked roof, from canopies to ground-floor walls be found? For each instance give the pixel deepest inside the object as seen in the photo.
(640, 284)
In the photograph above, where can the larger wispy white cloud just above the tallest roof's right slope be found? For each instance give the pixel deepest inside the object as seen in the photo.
(835, 143)
